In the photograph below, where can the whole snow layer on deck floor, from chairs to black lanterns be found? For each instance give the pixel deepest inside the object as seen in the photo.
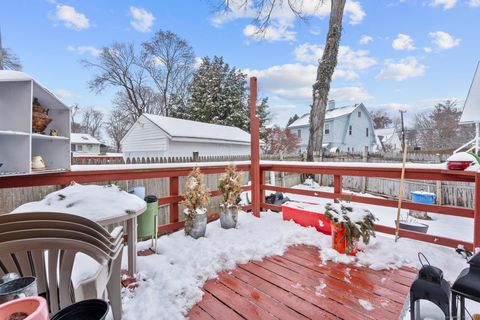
(171, 282)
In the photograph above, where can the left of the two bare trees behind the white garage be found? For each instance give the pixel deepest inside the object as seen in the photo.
(119, 67)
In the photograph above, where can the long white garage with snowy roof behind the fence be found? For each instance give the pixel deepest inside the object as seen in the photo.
(158, 136)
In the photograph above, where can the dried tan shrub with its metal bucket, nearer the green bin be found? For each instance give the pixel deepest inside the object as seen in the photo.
(195, 201)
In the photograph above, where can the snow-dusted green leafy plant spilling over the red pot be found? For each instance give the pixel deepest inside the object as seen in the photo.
(358, 223)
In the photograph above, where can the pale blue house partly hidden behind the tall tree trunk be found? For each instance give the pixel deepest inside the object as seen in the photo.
(347, 129)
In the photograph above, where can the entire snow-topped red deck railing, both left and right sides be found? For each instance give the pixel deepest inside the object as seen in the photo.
(174, 171)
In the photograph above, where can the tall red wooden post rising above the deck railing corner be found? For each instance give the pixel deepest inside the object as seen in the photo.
(255, 148)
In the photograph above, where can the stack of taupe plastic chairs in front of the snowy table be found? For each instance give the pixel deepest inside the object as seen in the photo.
(24, 226)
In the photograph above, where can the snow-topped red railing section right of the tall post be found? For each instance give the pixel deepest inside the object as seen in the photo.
(385, 171)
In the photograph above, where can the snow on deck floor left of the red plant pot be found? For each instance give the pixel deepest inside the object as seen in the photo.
(174, 277)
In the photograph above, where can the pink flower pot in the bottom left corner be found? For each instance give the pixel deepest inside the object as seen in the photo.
(35, 308)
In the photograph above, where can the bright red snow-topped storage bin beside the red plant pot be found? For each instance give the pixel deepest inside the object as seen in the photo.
(307, 218)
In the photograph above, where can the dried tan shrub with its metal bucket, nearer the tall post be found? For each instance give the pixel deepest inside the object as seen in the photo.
(230, 185)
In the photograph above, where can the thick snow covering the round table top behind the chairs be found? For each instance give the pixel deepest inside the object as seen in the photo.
(90, 201)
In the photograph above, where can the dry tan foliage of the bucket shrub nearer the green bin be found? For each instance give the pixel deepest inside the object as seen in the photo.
(195, 198)
